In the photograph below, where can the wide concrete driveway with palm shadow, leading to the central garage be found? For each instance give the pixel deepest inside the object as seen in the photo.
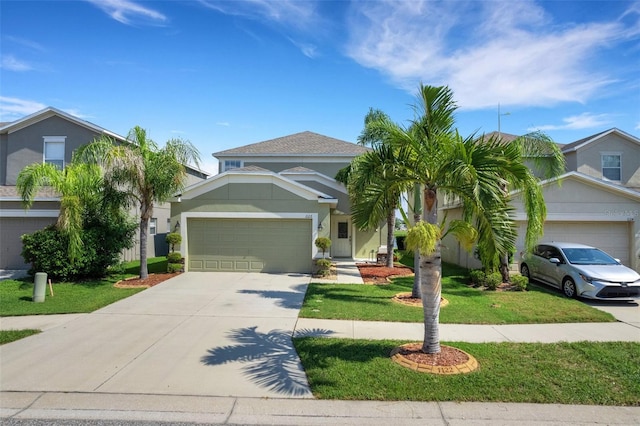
(213, 334)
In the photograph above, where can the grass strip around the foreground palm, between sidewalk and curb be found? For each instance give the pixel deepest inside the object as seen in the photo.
(561, 373)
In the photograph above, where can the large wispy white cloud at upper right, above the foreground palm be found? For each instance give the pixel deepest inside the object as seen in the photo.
(488, 52)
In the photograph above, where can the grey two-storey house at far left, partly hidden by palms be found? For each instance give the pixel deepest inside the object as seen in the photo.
(51, 135)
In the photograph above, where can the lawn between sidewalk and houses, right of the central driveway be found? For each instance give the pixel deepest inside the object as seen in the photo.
(467, 305)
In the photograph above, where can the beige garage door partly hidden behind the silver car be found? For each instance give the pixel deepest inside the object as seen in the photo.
(612, 237)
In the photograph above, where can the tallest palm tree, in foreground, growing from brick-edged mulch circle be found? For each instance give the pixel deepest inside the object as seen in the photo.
(472, 171)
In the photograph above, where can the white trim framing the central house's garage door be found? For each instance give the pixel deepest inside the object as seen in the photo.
(184, 223)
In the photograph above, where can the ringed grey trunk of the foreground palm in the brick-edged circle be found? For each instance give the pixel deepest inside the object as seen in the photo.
(430, 287)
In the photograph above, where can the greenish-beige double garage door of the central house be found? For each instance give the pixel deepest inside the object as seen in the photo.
(249, 245)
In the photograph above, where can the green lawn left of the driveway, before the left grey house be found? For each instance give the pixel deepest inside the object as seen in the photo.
(16, 296)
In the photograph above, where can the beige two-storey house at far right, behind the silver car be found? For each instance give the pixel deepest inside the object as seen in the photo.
(597, 202)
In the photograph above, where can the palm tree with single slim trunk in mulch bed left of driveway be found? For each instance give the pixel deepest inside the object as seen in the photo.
(143, 172)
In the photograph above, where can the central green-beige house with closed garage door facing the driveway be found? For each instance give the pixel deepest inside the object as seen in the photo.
(270, 202)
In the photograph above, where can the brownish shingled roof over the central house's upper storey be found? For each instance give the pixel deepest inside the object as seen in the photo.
(299, 144)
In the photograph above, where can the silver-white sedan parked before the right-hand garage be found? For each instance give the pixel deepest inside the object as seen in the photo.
(581, 271)
